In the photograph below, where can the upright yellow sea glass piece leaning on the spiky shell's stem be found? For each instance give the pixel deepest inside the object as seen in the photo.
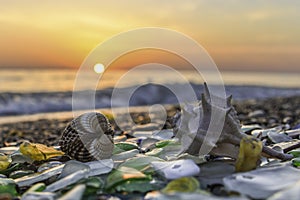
(249, 154)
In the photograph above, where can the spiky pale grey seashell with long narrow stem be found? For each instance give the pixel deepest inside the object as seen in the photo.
(192, 123)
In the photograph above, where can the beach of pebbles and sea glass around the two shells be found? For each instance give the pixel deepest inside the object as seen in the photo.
(275, 121)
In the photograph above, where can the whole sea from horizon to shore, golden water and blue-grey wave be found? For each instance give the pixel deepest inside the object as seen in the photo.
(31, 91)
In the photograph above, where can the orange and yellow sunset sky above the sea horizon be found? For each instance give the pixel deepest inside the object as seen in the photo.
(238, 35)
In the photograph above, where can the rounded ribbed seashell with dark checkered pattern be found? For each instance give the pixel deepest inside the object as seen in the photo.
(88, 137)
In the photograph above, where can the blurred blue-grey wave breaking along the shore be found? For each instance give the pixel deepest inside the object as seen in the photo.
(149, 94)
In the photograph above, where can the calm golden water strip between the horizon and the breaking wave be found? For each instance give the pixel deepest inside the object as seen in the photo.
(54, 80)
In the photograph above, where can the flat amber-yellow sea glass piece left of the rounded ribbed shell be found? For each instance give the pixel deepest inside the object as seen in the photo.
(39, 151)
